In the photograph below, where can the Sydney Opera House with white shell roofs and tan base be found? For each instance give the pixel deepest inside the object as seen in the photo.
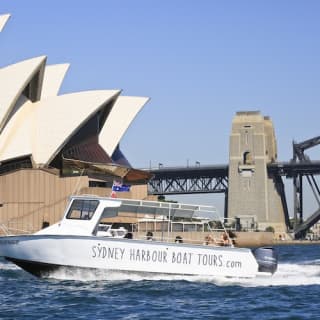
(52, 146)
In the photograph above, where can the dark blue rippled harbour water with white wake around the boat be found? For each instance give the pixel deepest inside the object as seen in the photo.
(292, 293)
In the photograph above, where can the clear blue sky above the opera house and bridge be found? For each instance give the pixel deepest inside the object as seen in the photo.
(198, 61)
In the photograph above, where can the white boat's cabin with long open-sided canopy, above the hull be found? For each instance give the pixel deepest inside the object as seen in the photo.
(91, 216)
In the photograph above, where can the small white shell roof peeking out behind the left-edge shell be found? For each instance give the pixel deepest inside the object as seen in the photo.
(52, 80)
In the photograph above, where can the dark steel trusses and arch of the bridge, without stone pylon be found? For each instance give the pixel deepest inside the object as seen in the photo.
(214, 179)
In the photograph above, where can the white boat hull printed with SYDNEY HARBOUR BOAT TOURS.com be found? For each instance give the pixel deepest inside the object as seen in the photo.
(42, 254)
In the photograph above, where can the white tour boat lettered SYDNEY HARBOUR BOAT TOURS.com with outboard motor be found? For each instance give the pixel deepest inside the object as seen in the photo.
(81, 240)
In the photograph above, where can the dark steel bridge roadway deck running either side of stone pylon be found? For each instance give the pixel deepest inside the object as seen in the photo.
(214, 178)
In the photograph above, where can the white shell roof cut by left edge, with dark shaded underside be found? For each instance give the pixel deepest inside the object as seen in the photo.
(25, 76)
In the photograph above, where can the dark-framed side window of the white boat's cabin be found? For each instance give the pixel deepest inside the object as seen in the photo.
(82, 209)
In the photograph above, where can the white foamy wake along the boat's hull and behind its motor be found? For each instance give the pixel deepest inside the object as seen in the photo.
(286, 275)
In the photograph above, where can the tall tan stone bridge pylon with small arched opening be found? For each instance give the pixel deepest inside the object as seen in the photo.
(253, 196)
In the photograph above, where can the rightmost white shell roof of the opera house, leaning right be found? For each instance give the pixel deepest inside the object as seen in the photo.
(122, 114)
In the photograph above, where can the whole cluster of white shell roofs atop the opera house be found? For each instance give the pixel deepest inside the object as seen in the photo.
(37, 123)
